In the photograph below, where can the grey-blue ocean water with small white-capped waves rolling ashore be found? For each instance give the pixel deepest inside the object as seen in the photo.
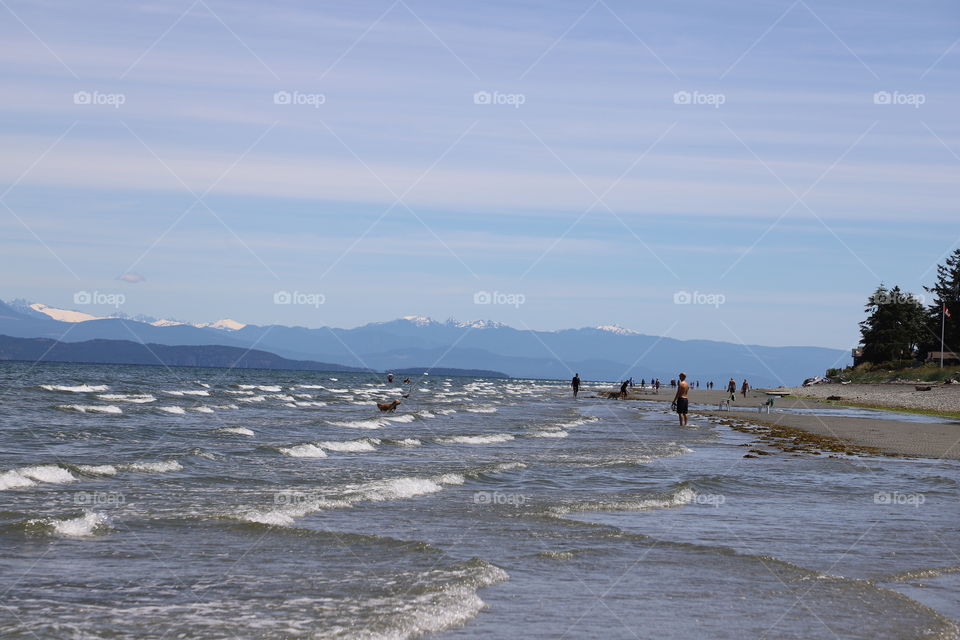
(143, 502)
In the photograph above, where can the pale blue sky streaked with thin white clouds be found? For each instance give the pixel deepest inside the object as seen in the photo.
(744, 171)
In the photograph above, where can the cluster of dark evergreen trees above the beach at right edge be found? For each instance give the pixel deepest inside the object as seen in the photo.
(899, 328)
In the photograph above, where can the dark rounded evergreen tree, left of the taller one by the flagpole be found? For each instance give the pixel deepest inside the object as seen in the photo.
(895, 326)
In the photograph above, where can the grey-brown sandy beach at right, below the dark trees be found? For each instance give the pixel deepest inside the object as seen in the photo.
(838, 433)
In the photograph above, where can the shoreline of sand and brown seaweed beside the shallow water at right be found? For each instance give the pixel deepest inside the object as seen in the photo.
(817, 434)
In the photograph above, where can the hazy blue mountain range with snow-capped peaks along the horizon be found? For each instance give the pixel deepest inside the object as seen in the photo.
(607, 352)
